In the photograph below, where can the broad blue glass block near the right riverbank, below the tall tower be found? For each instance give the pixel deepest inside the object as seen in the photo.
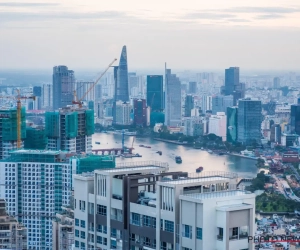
(249, 121)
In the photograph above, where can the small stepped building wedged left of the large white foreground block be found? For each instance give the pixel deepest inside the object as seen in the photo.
(63, 227)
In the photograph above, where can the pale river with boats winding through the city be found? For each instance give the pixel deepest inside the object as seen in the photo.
(191, 158)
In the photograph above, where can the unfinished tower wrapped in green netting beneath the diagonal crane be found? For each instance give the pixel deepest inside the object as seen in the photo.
(70, 129)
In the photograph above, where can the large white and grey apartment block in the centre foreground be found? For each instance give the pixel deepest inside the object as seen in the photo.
(144, 206)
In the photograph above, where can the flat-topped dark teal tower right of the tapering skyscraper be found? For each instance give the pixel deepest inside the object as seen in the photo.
(155, 92)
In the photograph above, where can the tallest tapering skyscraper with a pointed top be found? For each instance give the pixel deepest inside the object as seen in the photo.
(121, 88)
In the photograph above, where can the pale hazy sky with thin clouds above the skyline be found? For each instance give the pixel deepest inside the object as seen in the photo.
(190, 34)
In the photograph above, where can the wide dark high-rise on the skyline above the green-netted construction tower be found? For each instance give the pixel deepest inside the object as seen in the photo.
(63, 86)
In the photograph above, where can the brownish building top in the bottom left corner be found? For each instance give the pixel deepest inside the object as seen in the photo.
(13, 235)
